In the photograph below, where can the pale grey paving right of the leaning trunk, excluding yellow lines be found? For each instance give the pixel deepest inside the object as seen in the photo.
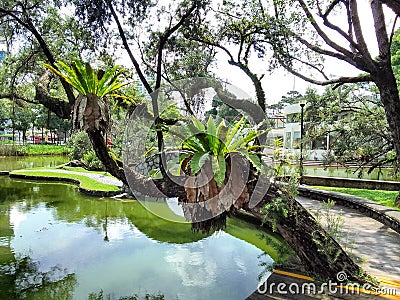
(374, 246)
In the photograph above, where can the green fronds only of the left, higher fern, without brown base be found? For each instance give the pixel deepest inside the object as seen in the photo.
(86, 80)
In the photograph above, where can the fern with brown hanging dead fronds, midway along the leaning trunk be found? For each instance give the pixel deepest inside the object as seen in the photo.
(217, 152)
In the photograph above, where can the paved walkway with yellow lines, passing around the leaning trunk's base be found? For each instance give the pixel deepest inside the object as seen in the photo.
(374, 246)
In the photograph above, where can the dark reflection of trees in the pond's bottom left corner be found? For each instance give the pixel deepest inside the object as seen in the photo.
(22, 278)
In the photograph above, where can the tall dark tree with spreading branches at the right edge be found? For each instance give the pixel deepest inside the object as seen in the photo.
(319, 19)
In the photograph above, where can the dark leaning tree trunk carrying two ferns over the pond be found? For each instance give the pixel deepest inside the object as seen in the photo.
(320, 254)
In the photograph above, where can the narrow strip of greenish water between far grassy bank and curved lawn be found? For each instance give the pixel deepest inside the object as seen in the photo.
(9, 163)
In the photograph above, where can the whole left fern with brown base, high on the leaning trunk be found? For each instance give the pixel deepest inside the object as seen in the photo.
(91, 107)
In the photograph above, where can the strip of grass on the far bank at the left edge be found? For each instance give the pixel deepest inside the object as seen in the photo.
(29, 149)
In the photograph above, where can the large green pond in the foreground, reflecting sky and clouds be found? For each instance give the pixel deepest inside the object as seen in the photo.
(56, 243)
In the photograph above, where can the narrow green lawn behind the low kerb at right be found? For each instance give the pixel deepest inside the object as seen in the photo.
(386, 198)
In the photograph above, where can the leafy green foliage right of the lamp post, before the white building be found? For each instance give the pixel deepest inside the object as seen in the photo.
(354, 119)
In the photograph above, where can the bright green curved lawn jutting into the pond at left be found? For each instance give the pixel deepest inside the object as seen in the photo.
(85, 182)
